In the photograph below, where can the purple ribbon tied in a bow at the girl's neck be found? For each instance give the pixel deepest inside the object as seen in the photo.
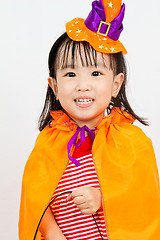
(73, 140)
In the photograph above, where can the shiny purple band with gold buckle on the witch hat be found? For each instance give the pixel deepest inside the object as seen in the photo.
(96, 21)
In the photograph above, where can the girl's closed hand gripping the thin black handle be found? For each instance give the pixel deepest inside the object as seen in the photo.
(87, 199)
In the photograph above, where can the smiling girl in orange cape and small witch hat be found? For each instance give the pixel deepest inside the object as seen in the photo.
(92, 174)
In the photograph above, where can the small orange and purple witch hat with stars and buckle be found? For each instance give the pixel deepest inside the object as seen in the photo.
(102, 27)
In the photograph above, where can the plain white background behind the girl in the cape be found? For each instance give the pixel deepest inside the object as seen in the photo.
(27, 32)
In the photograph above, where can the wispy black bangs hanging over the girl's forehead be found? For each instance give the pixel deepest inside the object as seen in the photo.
(70, 51)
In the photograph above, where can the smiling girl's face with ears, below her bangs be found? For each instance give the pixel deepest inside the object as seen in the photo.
(86, 91)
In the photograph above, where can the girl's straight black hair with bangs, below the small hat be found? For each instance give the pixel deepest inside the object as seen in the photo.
(117, 64)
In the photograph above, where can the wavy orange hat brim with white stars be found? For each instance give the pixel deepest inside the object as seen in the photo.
(77, 31)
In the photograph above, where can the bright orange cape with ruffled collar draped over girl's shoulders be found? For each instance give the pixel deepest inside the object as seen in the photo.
(127, 171)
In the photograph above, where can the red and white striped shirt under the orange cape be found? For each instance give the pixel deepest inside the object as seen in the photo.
(71, 221)
